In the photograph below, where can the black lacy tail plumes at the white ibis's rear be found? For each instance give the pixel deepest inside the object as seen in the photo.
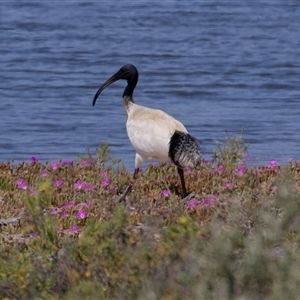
(184, 150)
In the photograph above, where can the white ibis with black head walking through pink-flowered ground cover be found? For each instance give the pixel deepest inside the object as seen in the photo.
(154, 134)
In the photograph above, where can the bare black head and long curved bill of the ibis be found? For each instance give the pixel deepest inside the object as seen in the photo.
(127, 72)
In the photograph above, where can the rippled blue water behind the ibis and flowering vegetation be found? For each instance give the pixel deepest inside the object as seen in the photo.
(214, 65)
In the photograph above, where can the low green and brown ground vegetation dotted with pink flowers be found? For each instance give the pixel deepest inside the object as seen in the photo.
(64, 235)
